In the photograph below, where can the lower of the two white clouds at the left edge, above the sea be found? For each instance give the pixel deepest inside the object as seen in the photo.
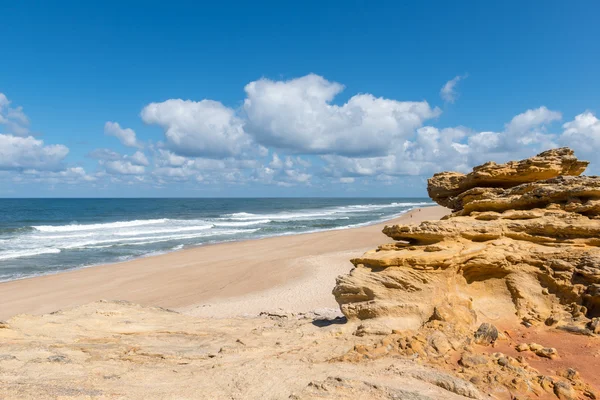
(27, 152)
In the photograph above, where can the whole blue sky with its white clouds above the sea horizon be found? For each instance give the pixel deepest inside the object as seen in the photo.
(103, 99)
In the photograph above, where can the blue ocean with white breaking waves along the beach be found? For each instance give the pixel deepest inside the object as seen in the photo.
(42, 236)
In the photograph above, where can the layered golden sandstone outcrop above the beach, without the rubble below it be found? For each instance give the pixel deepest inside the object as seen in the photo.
(518, 248)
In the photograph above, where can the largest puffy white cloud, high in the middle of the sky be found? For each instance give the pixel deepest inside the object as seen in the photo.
(298, 115)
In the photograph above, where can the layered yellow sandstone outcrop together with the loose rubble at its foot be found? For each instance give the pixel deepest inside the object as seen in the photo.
(520, 249)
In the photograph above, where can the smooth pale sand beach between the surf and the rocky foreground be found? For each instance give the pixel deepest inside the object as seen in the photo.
(295, 273)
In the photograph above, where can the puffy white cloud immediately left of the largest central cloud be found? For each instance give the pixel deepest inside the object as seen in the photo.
(199, 128)
